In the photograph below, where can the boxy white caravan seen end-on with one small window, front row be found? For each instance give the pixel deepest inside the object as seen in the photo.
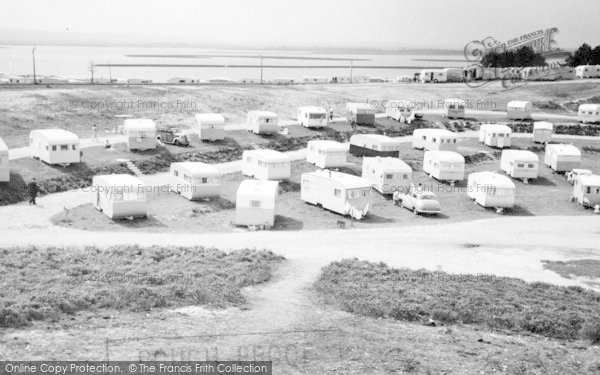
(256, 202)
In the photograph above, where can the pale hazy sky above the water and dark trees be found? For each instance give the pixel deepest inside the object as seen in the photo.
(343, 23)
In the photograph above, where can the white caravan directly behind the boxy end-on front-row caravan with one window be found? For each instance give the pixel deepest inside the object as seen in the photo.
(266, 164)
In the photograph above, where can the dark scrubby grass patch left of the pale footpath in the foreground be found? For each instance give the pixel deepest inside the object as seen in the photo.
(52, 284)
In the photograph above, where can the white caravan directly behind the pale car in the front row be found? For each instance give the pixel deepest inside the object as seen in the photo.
(387, 175)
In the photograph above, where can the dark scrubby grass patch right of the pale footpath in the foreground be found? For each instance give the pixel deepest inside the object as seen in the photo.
(494, 303)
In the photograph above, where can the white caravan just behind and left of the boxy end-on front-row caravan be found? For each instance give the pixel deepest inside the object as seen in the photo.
(195, 180)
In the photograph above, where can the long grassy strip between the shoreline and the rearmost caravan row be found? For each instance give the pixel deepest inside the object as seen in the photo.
(75, 108)
